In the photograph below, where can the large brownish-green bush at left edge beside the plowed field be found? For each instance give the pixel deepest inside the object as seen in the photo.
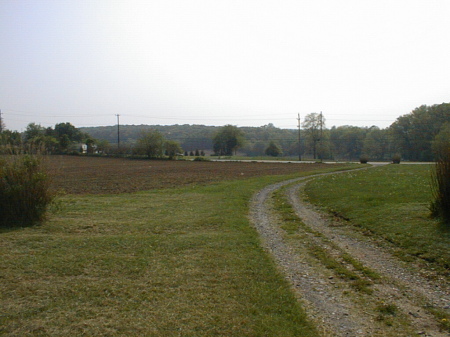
(24, 191)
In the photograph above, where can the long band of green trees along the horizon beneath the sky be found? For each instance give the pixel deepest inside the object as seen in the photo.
(414, 136)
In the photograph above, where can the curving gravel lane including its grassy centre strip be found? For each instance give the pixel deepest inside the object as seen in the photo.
(381, 296)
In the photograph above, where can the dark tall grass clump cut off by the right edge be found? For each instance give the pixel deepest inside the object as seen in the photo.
(440, 206)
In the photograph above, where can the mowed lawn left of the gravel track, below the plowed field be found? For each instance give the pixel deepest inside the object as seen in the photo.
(175, 262)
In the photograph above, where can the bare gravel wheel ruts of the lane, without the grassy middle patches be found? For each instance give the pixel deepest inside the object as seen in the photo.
(324, 297)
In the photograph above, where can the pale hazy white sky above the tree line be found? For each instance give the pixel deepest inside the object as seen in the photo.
(217, 62)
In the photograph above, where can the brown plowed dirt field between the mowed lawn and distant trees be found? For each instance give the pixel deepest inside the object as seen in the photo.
(94, 175)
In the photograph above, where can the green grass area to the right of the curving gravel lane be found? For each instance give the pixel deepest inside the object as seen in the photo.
(391, 202)
